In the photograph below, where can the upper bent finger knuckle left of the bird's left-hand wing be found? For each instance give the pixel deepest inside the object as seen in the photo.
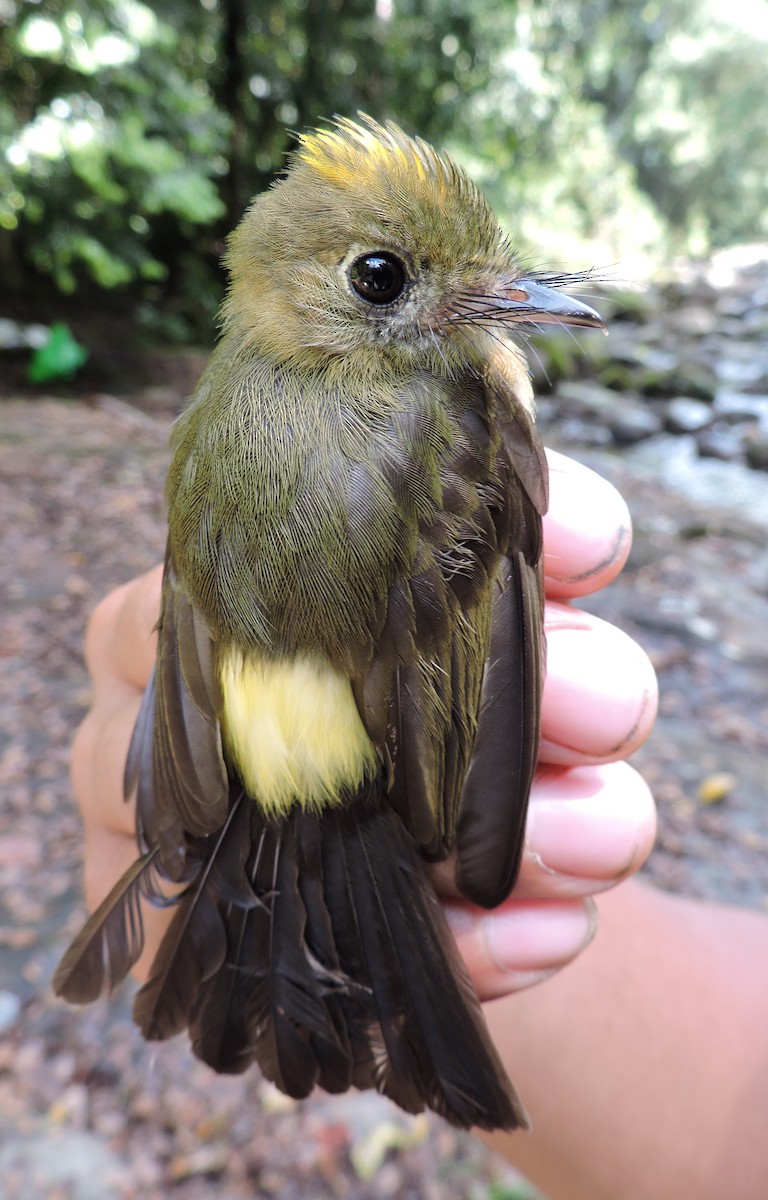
(121, 643)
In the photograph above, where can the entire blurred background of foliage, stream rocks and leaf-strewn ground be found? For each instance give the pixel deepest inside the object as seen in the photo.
(625, 137)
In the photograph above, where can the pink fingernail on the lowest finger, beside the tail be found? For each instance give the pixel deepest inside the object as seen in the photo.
(537, 939)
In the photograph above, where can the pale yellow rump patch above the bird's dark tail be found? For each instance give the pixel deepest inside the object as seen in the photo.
(293, 731)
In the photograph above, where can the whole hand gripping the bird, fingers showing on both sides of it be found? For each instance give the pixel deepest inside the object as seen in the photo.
(591, 821)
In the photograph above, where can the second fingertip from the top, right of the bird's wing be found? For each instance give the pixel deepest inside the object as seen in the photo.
(601, 693)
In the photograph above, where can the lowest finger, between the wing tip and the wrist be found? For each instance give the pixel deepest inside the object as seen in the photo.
(520, 944)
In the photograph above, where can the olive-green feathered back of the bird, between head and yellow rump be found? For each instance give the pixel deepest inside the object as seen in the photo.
(292, 515)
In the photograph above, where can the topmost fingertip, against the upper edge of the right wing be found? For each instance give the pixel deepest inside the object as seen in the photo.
(587, 532)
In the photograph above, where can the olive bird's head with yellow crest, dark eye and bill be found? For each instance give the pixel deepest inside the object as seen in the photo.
(375, 248)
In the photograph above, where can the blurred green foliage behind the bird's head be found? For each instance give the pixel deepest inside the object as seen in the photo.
(131, 137)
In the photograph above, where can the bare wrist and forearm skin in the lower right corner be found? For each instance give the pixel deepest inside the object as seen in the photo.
(645, 1065)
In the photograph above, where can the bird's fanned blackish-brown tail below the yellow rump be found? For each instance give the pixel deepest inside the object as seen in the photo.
(315, 947)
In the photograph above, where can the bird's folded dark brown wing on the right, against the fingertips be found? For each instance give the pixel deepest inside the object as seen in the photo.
(460, 735)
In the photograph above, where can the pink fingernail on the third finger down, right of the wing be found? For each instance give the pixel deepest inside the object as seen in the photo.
(577, 829)
